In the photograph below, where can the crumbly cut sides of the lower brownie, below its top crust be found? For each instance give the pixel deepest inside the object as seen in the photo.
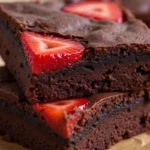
(123, 121)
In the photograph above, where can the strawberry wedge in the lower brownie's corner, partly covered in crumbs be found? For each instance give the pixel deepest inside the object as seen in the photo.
(62, 116)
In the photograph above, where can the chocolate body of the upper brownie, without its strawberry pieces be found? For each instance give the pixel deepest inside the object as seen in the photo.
(116, 58)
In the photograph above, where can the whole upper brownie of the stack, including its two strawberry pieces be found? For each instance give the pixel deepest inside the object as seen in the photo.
(57, 50)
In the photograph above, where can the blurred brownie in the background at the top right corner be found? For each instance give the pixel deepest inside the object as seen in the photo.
(141, 8)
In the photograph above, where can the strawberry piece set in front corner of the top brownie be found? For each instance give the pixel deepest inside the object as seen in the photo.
(48, 53)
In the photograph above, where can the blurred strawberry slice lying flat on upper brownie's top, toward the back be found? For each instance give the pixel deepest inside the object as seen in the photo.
(96, 10)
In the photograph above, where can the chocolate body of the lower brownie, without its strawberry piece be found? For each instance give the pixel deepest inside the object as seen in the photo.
(109, 118)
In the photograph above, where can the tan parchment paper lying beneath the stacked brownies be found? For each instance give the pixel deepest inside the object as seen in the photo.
(140, 142)
